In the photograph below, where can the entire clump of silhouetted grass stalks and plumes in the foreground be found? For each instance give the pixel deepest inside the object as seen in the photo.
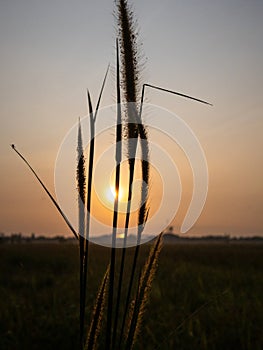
(132, 129)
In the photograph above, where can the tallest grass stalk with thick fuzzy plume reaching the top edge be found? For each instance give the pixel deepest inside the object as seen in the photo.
(130, 80)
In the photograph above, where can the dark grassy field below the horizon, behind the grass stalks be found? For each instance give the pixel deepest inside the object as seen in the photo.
(223, 283)
